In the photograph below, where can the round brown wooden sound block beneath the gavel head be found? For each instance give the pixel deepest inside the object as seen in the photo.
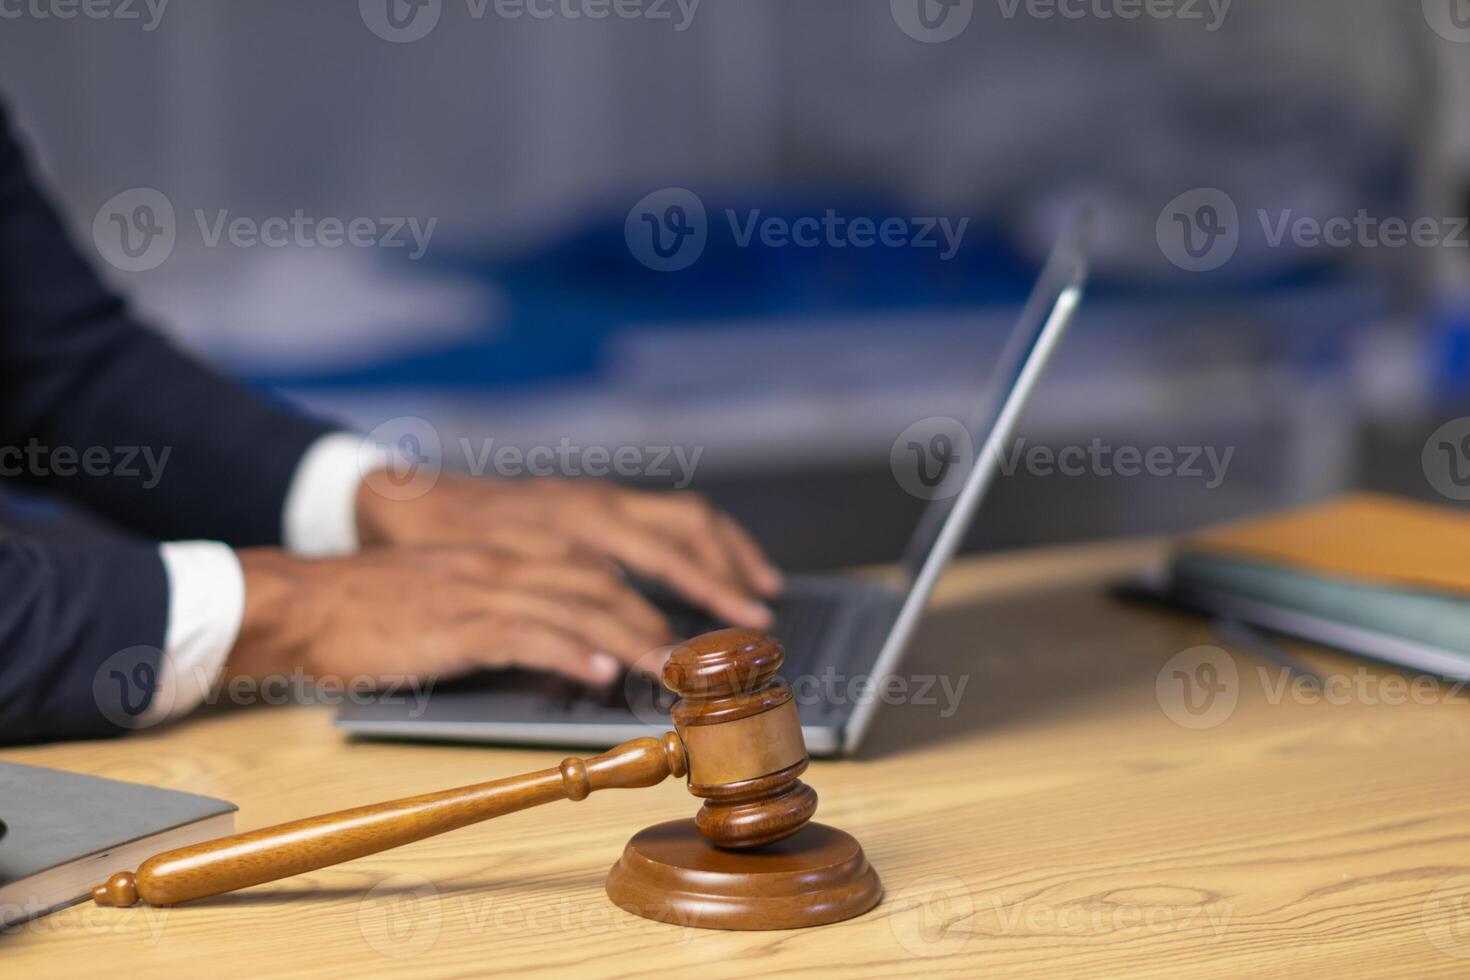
(671, 873)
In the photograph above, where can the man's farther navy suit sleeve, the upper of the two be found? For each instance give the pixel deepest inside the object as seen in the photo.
(79, 374)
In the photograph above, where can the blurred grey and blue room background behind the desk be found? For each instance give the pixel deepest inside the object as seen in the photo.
(509, 161)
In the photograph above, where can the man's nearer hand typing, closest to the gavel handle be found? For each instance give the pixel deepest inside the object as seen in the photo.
(440, 612)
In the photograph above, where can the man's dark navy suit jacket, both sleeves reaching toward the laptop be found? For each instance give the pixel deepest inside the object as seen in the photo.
(82, 627)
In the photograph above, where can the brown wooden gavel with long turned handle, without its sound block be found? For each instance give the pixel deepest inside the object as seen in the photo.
(737, 738)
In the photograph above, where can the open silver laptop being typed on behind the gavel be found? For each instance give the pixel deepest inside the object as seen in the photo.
(836, 630)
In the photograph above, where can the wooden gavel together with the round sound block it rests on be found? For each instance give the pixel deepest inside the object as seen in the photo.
(752, 857)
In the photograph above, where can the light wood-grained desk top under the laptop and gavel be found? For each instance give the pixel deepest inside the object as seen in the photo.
(1059, 824)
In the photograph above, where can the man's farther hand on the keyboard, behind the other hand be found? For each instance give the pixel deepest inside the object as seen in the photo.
(675, 538)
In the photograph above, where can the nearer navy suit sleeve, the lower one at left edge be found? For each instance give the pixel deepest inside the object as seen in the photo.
(82, 630)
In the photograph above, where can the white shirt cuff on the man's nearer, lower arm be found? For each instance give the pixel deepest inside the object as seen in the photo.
(207, 606)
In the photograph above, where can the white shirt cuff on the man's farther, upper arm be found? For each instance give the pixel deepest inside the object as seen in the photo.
(321, 505)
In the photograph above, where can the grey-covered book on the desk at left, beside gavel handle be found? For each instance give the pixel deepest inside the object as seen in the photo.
(65, 832)
